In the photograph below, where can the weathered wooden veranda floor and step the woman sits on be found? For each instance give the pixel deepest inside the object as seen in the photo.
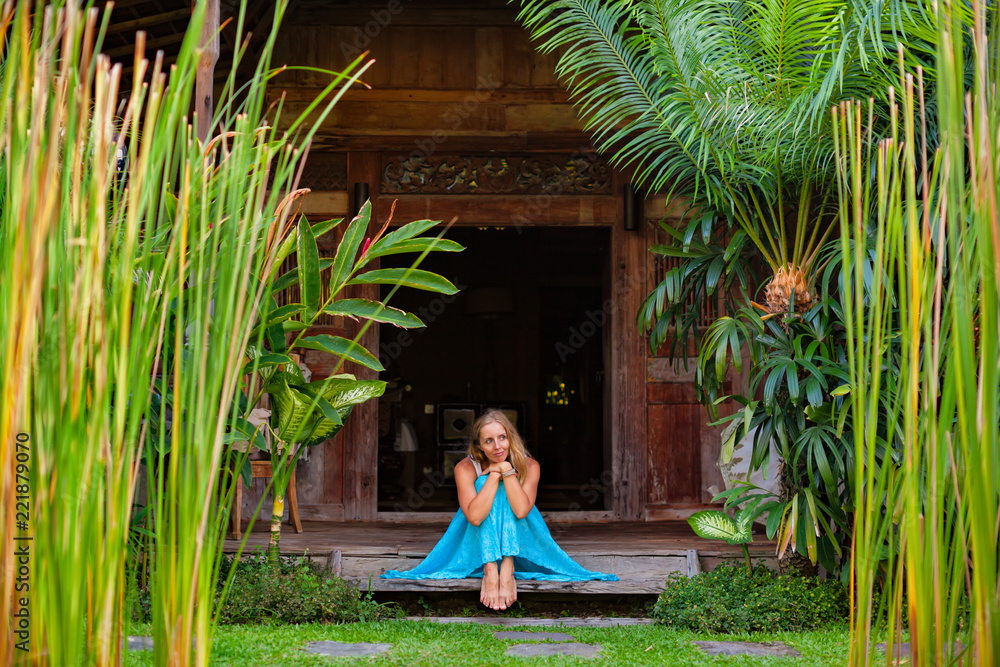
(642, 554)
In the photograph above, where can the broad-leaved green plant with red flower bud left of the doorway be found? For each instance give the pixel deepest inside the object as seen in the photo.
(309, 413)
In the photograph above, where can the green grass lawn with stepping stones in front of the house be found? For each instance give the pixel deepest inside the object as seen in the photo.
(425, 643)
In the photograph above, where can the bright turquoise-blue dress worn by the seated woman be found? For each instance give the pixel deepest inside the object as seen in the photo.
(464, 548)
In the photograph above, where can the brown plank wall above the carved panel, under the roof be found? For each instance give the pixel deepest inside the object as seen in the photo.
(445, 77)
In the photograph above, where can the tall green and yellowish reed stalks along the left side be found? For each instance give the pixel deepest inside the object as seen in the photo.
(113, 285)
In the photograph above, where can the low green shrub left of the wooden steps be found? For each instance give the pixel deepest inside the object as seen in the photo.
(289, 591)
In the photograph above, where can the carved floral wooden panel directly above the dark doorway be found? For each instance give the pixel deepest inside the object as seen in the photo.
(535, 174)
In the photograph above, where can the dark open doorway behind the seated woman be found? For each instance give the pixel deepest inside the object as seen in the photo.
(526, 335)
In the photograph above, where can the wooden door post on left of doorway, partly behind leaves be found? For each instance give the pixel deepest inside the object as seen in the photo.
(361, 430)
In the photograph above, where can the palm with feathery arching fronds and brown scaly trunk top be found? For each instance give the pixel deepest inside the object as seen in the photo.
(726, 103)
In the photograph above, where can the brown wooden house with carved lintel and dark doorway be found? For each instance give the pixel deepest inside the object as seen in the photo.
(463, 121)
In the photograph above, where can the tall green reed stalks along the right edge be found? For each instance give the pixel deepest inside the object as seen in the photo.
(926, 226)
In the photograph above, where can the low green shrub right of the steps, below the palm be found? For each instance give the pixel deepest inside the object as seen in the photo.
(727, 600)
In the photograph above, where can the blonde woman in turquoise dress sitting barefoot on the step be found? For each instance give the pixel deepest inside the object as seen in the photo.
(498, 521)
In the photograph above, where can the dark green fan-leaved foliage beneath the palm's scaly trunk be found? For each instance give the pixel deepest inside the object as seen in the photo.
(796, 401)
